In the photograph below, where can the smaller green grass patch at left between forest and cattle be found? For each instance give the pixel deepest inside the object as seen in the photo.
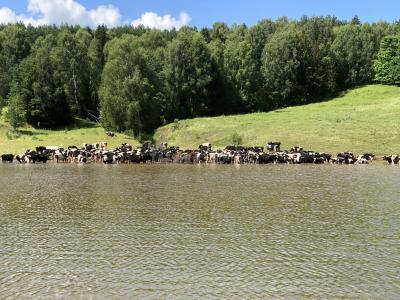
(81, 132)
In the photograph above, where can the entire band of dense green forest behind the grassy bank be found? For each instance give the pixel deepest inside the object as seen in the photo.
(134, 79)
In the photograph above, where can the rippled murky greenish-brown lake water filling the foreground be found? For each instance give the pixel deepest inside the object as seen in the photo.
(184, 231)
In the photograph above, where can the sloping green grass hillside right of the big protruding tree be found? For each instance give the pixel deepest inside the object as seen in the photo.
(365, 119)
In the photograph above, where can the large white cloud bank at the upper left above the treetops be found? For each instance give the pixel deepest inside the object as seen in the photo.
(63, 12)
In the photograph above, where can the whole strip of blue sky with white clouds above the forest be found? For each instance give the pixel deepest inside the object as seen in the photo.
(167, 14)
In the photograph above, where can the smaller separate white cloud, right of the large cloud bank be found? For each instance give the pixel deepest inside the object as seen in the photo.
(152, 20)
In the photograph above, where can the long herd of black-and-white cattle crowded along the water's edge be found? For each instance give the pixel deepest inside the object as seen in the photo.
(148, 153)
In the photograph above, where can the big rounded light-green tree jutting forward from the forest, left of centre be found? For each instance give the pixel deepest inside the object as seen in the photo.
(129, 94)
